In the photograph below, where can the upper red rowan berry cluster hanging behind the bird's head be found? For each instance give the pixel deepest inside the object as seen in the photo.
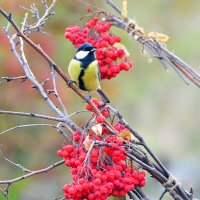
(111, 55)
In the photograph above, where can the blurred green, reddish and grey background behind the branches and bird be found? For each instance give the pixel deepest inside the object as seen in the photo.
(160, 106)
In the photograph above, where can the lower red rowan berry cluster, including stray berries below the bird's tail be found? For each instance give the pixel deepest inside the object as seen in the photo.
(99, 165)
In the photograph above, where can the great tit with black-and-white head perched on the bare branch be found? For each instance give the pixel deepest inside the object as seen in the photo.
(84, 71)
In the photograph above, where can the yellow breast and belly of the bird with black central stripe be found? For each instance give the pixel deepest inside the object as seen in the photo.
(86, 78)
